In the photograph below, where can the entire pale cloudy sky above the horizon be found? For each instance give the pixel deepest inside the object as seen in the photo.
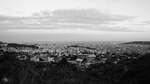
(74, 20)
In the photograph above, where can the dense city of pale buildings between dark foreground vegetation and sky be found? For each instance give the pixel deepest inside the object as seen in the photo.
(76, 54)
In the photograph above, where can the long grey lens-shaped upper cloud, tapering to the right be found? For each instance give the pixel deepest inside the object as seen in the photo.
(82, 16)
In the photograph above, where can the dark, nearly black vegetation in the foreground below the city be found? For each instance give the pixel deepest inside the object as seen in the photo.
(13, 71)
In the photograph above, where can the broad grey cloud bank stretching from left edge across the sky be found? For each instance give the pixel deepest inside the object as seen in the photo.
(90, 19)
